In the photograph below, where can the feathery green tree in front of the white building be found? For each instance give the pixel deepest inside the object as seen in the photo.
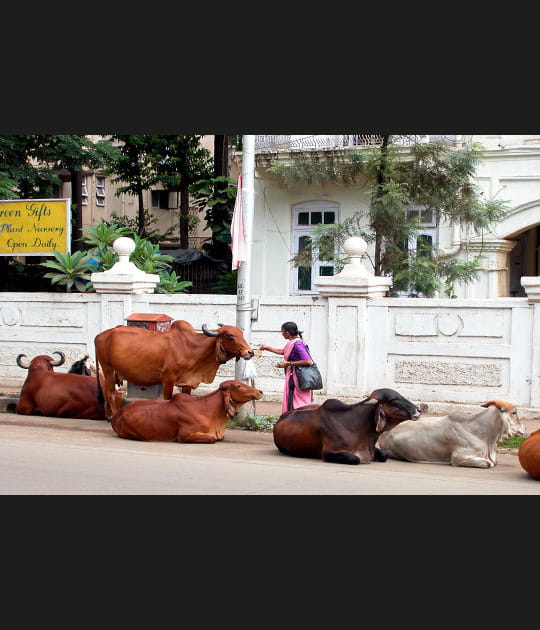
(432, 176)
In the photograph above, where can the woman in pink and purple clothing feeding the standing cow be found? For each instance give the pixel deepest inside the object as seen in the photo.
(294, 353)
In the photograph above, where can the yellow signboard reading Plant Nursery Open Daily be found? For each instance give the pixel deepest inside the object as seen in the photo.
(35, 227)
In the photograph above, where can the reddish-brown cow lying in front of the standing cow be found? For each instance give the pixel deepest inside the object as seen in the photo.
(184, 418)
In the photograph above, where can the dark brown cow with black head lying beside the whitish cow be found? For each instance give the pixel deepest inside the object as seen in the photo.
(341, 433)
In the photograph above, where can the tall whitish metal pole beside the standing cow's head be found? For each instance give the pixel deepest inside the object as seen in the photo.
(243, 295)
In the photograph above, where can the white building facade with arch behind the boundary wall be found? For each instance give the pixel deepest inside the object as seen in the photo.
(284, 217)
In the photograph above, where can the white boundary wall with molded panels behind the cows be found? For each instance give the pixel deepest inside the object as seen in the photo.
(432, 350)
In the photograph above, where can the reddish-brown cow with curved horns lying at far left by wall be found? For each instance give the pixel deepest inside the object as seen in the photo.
(58, 395)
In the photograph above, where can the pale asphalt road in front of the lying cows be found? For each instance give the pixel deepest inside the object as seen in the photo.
(52, 456)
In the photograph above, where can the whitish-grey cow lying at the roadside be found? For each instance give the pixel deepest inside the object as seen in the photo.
(458, 439)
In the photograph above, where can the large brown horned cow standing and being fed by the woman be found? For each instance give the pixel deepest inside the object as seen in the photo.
(179, 356)
